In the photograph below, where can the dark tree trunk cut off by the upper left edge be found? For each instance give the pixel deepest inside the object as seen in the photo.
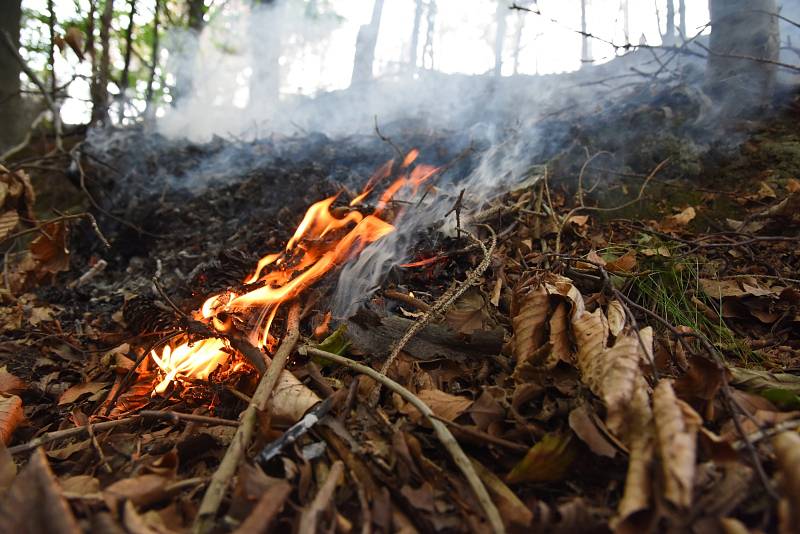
(10, 98)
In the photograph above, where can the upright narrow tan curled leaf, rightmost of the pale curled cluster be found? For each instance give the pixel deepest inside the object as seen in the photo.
(676, 427)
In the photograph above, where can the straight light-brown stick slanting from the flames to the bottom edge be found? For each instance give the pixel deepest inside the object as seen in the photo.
(204, 521)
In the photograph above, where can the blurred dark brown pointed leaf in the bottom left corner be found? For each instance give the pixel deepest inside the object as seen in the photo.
(34, 504)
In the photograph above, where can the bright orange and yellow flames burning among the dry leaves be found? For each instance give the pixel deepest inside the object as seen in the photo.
(323, 240)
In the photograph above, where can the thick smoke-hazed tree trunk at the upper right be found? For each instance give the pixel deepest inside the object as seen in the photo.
(742, 29)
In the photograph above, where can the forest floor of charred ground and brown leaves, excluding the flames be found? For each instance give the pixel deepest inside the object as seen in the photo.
(610, 349)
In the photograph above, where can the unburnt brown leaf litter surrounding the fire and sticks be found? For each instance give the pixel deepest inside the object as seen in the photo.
(608, 406)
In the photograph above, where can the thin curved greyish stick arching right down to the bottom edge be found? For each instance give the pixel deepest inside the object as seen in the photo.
(442, 432)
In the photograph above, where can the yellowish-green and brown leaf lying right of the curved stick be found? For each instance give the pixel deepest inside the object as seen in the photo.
(549, 460)
